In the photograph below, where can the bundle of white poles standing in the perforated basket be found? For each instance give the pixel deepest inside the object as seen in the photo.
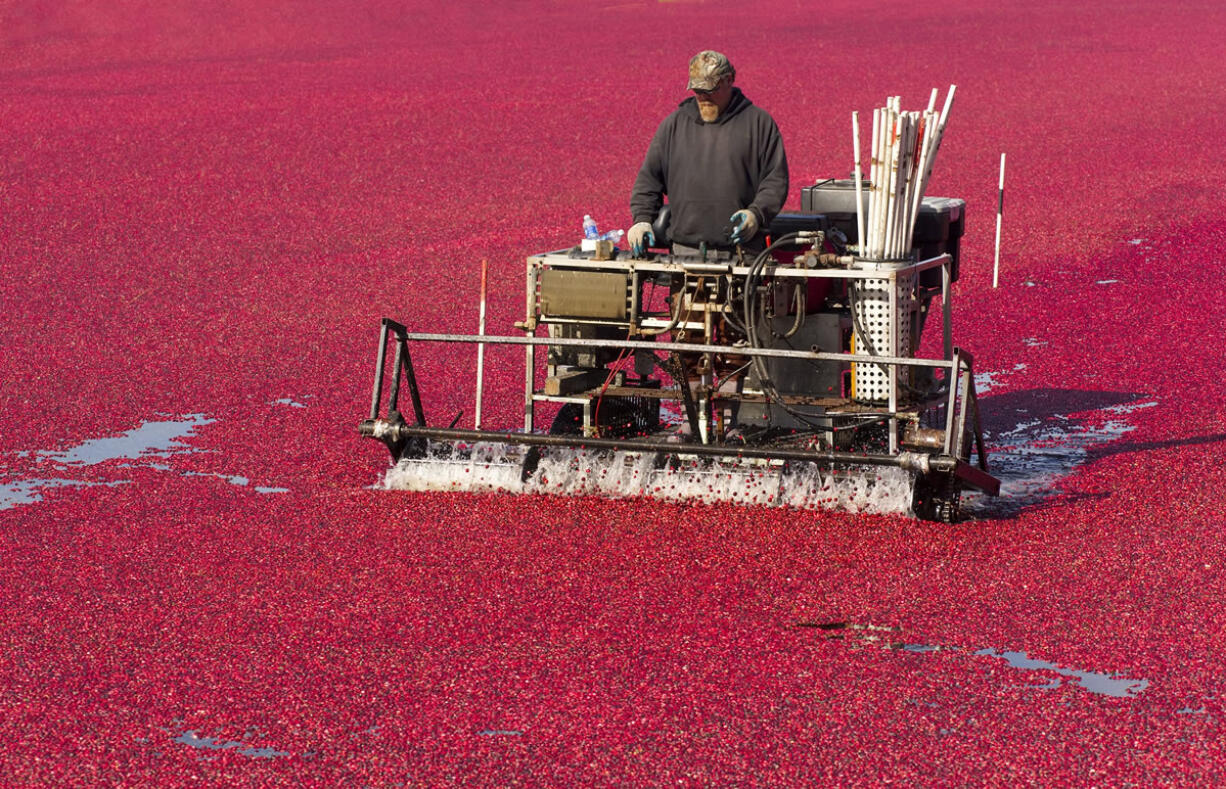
(904, 150)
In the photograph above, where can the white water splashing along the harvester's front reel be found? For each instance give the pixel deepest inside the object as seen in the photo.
(574, 472)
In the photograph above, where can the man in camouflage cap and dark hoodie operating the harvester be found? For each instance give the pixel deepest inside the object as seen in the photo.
(720, 161)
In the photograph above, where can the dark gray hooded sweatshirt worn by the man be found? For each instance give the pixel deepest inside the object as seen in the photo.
(712, 171)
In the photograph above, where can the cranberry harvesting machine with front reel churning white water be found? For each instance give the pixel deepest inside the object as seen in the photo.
(773, 378)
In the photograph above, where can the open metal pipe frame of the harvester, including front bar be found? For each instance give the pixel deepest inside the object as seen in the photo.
(941, 461)
